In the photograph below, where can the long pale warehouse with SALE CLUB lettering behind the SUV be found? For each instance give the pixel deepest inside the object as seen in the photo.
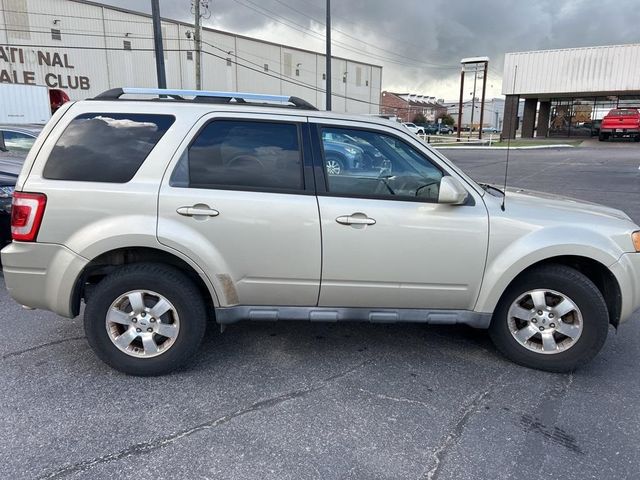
(85, 48)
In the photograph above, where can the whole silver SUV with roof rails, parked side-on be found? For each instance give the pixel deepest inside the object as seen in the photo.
(164, 212)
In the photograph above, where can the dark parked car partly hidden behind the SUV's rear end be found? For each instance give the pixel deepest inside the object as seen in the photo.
(15, 143)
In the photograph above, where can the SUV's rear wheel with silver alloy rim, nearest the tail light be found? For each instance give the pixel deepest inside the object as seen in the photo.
(145, 319)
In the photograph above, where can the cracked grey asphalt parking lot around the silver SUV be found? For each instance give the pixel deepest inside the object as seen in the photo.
(350, 401)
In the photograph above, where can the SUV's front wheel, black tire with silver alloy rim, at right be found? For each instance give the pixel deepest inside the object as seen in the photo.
(553, 318)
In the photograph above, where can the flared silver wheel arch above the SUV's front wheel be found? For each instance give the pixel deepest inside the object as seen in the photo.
(504, 264)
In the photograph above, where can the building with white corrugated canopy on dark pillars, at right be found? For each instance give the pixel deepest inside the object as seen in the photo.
(565, 91)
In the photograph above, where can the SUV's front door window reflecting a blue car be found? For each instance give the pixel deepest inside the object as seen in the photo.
(372, 164)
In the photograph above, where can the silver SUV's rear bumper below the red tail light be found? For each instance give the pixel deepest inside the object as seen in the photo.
(42, 275)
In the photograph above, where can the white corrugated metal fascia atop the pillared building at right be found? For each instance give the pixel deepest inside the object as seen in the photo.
(577, 70)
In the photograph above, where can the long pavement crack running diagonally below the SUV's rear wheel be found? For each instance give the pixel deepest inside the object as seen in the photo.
(146, 447)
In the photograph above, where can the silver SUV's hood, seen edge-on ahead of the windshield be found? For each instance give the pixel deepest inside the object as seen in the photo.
(547, 202)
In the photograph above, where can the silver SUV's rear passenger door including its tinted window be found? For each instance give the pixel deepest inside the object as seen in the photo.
(236, 201)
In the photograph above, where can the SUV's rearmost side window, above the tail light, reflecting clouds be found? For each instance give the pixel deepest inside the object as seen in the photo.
(105, 147)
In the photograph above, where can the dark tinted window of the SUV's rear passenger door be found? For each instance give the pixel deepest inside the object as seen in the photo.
(240, 154)
